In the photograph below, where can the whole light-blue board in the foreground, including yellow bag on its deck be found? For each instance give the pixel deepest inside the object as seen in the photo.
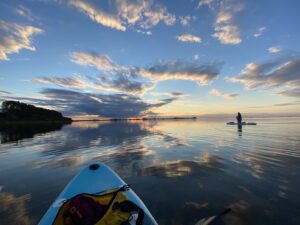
(97, 187)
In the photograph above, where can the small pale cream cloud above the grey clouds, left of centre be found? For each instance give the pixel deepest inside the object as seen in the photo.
(101, 62)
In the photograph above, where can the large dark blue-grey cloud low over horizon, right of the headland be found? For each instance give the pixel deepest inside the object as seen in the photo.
(113, 105)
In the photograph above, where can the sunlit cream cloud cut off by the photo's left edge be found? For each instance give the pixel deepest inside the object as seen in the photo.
(15, 37)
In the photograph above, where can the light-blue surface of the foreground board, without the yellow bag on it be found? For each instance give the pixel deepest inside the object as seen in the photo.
(94, 179)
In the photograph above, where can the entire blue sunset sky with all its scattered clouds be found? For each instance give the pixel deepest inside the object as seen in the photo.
(131, 58)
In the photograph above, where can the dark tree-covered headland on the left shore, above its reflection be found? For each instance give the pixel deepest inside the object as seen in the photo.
(13, 111)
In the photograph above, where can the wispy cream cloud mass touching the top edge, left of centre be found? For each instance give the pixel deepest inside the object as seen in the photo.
(140, 15)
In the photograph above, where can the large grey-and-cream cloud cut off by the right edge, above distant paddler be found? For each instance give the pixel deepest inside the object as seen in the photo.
(278, 73)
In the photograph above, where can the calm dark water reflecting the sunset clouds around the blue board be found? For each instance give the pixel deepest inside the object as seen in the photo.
(182, 170)
